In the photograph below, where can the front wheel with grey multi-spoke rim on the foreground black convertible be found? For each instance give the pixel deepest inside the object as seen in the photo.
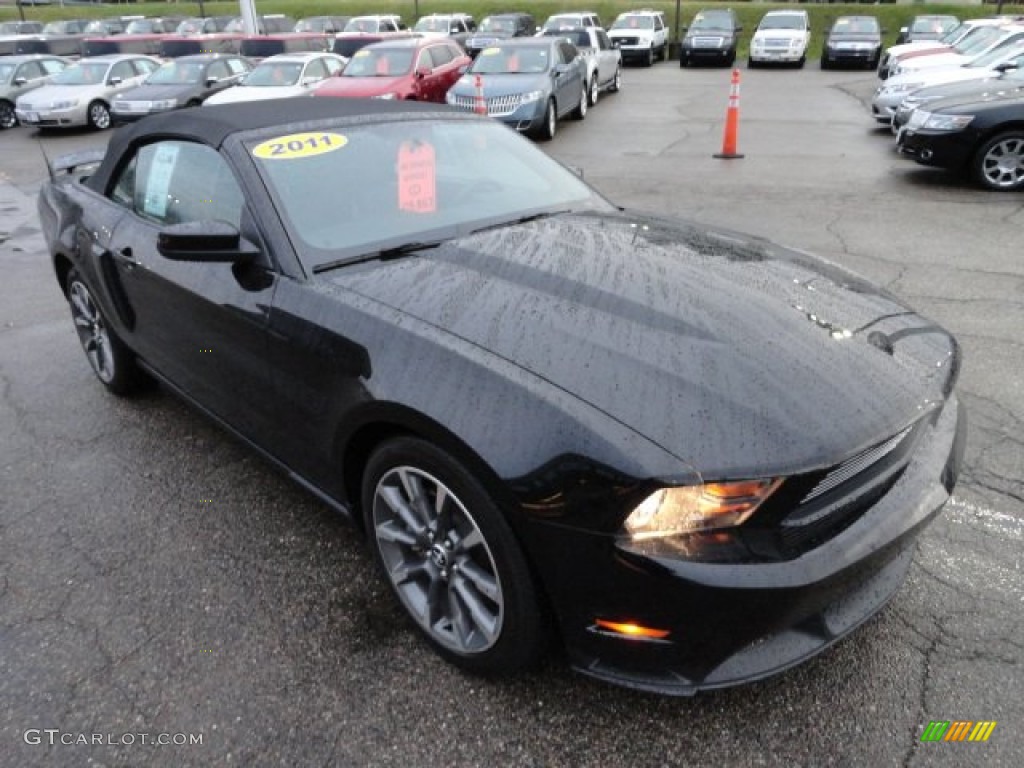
(451, 559)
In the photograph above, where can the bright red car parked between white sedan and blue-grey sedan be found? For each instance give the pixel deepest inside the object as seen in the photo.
(420, 69)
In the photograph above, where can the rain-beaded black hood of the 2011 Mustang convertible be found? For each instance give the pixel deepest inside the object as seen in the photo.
(740, 358)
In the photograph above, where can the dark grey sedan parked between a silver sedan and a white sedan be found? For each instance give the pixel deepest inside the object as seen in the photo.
(188, 81)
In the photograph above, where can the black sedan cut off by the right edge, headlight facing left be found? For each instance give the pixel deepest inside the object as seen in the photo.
(983, 137)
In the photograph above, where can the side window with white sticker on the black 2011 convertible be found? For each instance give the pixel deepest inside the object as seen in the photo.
(173, 183)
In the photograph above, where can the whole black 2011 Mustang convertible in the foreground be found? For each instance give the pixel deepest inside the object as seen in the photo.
(694, 457)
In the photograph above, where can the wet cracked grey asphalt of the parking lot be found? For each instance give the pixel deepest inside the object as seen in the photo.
(157, 578)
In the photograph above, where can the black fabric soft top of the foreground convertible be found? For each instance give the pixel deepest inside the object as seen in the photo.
(212, 125)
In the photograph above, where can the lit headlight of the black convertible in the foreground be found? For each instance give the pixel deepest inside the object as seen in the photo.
(694, 508)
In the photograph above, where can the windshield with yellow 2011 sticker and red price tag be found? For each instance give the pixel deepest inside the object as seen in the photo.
(416, 186)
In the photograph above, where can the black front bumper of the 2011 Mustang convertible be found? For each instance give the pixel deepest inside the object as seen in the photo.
(731, 624)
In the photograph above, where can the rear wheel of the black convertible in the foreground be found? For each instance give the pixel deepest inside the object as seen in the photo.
(112, 362)
